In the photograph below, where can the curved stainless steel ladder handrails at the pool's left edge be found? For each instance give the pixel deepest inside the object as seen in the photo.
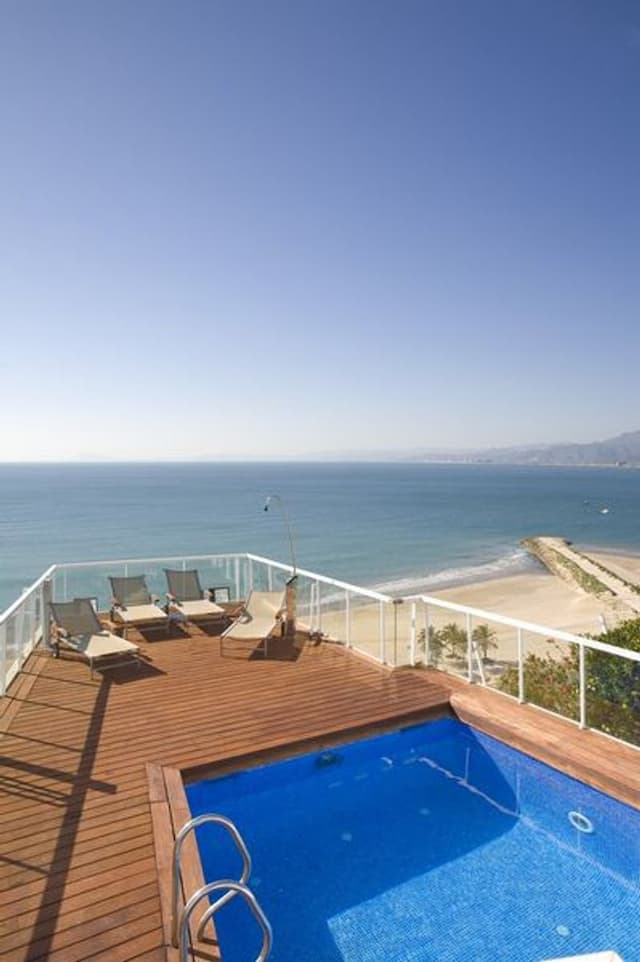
(180, 919)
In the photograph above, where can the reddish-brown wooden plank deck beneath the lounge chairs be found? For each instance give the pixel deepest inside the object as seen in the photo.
(78, 879)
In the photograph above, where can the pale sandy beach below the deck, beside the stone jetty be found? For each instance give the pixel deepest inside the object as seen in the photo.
(537, 597)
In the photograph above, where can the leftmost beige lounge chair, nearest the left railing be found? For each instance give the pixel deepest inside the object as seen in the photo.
(76, 627)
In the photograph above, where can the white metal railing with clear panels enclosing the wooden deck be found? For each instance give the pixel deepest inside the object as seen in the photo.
(383, 628)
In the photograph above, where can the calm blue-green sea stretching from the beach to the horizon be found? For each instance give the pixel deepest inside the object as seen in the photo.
(401, 527)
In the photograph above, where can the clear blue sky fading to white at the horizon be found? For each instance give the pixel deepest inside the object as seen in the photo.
(276, 228)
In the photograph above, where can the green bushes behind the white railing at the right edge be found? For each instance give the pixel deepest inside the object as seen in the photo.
(612, 684)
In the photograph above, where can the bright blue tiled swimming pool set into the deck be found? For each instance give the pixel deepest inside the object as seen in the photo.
(435, 843)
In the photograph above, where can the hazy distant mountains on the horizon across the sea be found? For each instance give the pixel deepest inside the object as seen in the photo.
(623, 450)
